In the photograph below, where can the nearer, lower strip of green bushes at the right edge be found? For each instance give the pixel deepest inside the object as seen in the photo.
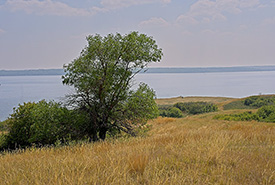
(264, 114)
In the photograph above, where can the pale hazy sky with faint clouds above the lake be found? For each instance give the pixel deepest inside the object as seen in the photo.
(46, 34)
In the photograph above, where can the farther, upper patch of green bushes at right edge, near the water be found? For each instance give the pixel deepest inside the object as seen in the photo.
(252, 102)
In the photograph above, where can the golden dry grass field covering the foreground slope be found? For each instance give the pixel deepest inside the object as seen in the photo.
(191, 150)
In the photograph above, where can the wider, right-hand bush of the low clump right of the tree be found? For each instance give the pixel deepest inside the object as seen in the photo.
(196, 107)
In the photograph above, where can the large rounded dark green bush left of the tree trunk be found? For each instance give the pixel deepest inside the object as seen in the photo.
(39, 124)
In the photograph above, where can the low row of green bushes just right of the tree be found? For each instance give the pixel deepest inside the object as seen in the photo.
(180, 109)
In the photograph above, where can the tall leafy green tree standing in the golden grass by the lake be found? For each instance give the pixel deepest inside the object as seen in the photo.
(103, 76)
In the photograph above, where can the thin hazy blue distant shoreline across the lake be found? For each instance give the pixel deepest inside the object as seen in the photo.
(49, 72)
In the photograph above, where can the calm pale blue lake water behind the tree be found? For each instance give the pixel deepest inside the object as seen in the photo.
(19, 89)
